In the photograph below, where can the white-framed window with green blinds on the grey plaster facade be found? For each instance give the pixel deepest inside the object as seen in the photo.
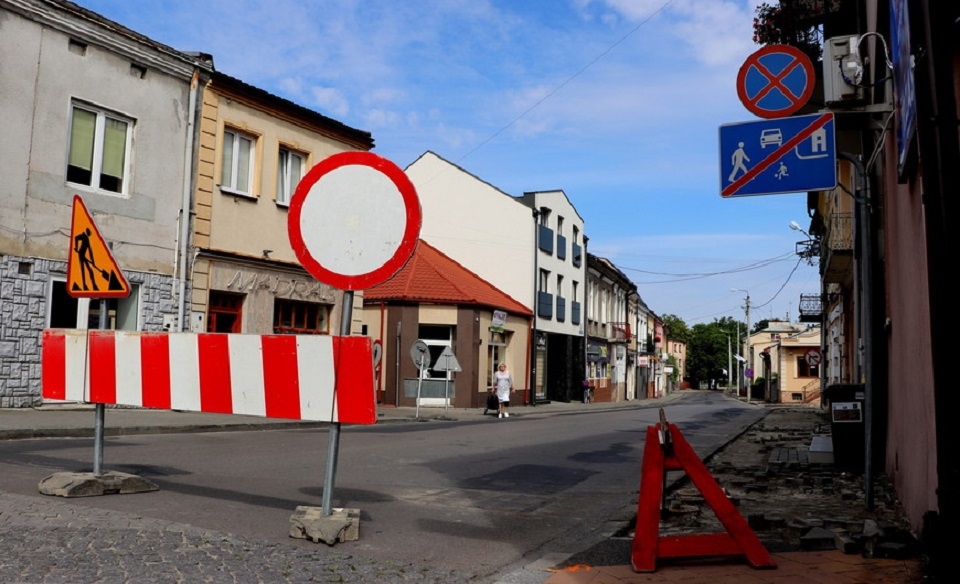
(100, 144)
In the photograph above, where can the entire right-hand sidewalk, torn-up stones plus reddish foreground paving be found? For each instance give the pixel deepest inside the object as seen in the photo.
(797, 508)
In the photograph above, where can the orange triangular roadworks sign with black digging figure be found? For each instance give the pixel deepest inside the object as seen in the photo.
(91, 270)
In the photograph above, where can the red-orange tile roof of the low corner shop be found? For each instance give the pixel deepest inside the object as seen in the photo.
(432, 276)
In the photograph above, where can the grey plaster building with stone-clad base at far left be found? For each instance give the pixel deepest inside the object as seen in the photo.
(93, 109)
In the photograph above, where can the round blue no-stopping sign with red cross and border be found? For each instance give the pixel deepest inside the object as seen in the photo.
(775, 81)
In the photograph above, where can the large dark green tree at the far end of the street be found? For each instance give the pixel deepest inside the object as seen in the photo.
(709, 348)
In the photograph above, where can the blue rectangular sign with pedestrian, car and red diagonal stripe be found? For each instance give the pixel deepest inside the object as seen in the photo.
(782, 155)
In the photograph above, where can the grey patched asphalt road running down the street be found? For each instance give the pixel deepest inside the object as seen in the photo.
(480, 498)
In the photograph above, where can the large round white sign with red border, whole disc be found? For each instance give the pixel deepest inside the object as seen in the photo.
(354, 220)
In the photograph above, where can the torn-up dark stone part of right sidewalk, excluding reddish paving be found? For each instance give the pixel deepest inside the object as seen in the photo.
(768, 474)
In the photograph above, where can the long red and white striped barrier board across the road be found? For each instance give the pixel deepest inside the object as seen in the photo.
(301, 377)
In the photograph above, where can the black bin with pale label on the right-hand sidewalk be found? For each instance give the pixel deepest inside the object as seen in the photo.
(847, 425)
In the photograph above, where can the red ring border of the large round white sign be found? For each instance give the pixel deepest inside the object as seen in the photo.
(411, 231)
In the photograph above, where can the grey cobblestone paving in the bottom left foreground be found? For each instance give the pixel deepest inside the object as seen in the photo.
(49, 541)
